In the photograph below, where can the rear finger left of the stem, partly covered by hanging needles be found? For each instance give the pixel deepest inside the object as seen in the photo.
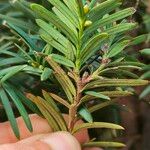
(40, 126)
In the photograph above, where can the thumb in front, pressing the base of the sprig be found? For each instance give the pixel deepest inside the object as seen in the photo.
(53, 141)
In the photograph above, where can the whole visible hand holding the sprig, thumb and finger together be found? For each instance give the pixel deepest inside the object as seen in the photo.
(41, 137)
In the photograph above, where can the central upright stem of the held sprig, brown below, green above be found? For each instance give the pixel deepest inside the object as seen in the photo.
(77, 98)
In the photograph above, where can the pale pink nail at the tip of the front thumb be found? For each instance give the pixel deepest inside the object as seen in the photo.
(61, 141)
